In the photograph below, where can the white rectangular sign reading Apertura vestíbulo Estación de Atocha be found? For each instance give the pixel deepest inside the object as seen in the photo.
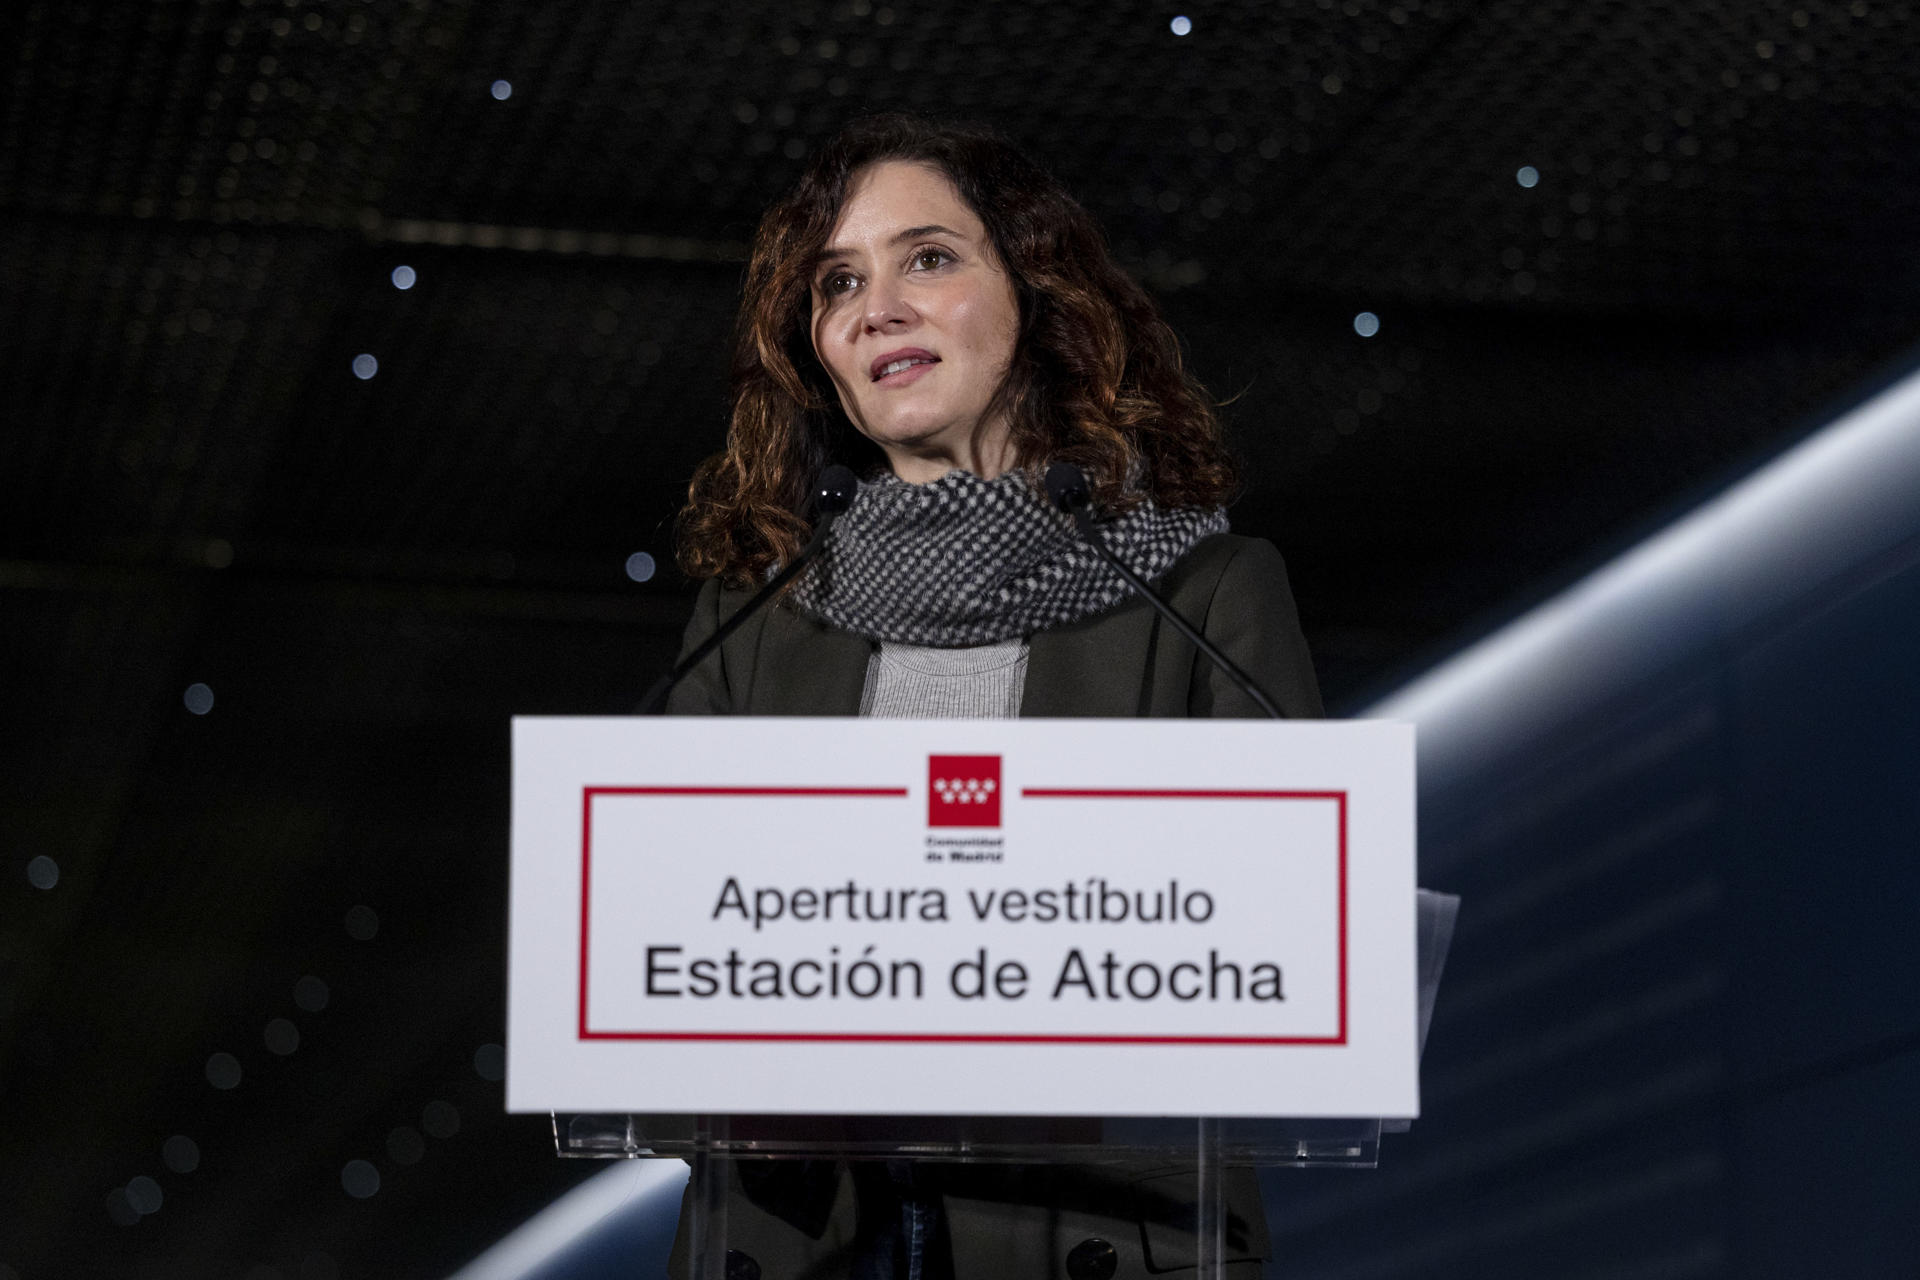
(963, 916)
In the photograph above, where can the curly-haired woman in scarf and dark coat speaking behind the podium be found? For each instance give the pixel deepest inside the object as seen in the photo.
(936, 312)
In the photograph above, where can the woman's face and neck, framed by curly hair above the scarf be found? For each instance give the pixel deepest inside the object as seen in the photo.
(915, 320)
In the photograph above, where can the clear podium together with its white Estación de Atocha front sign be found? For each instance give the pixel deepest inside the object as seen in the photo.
(838, 1179)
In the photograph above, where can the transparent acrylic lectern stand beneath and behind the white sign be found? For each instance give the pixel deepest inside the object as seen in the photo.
(1086, 1198)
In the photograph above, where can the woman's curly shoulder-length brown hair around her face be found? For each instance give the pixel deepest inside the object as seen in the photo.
(1097, 375)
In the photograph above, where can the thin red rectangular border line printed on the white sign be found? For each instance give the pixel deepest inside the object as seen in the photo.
(884, 1037)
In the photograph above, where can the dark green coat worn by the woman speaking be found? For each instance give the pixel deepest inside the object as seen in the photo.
(1011, 1221)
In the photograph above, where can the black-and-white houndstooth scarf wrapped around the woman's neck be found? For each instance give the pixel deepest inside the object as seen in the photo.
(969, 561)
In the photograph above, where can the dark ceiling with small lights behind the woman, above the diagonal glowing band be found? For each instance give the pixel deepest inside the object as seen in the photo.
(1616, 254)
